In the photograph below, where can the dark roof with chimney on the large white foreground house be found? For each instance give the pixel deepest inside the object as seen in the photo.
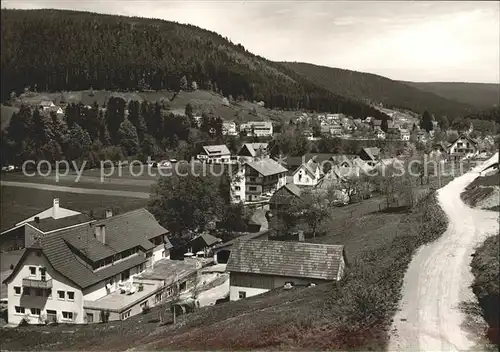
(123, 232)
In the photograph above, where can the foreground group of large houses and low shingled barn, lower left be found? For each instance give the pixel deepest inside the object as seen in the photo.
(79, 270)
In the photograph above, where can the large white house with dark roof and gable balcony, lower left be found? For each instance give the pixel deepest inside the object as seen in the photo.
(61, 274)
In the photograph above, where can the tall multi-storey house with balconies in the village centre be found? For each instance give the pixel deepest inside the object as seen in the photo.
(263, 178)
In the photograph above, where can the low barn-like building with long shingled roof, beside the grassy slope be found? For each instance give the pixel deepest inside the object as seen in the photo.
(258, 266)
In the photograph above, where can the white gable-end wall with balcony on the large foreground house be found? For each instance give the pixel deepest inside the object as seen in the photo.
(44, 303)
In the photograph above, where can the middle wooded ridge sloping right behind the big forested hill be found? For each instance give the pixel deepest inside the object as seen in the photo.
(360, 85)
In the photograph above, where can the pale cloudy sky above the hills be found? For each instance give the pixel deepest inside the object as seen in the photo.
(418, 41)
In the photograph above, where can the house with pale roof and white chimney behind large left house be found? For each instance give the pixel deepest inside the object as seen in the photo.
(25, 232)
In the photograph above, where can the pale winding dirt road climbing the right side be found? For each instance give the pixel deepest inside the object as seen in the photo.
(438, 279)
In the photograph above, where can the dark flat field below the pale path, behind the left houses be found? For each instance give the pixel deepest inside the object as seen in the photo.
(18, 203)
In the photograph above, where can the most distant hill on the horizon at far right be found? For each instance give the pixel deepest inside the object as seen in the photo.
(483, 95)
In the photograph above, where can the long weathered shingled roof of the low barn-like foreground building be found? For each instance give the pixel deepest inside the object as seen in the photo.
(282, 258)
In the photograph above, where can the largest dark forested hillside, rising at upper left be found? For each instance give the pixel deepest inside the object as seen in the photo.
(55, 50)
